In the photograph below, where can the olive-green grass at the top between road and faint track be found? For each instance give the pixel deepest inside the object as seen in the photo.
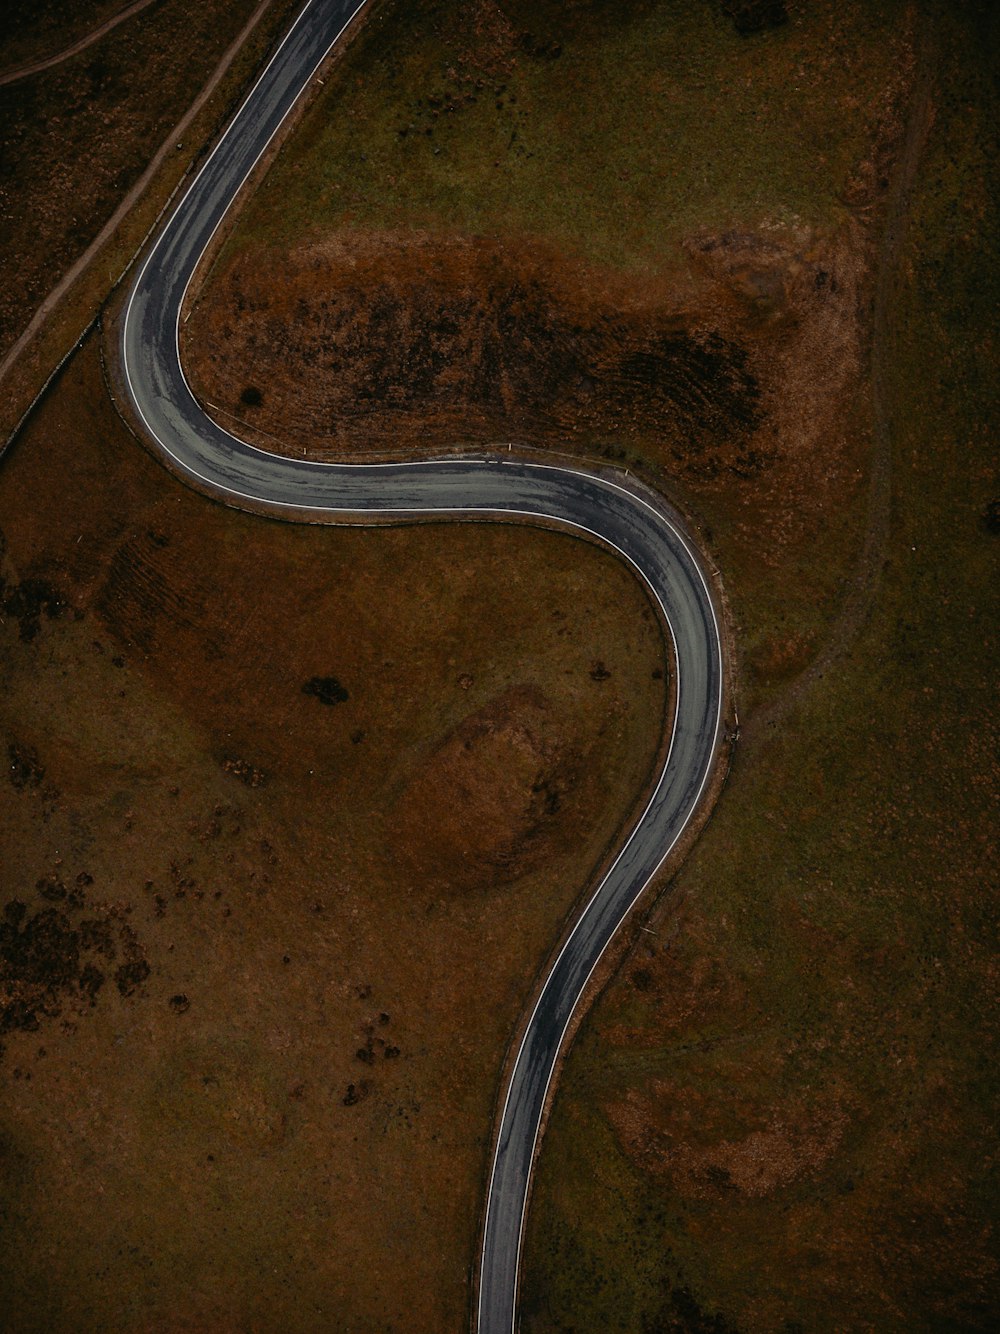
(653, 122)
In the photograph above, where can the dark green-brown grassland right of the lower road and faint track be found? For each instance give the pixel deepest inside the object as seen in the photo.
(779, 1116)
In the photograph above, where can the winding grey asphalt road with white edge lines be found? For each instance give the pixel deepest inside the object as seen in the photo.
(621, 516)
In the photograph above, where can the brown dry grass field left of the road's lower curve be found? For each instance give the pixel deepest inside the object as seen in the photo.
(278, 1116)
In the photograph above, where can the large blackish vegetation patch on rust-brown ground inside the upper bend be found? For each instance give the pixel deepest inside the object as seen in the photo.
(425, 340)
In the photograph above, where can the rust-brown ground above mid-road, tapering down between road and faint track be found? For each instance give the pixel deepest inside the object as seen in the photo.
(735, 382)
